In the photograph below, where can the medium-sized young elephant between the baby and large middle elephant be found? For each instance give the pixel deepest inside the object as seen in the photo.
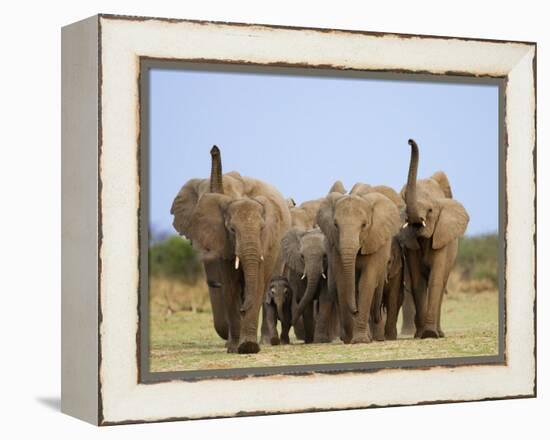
(306, 261)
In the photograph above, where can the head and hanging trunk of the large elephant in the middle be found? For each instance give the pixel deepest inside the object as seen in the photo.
(356, 225)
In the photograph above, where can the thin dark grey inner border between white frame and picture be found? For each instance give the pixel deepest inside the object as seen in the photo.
(142, 336)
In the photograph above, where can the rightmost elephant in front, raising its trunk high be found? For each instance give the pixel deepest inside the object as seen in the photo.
(434, 222)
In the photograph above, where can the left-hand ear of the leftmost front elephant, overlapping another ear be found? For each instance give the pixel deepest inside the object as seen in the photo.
(207, 226)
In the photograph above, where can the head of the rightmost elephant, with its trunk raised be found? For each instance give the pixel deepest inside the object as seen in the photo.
(431, 211)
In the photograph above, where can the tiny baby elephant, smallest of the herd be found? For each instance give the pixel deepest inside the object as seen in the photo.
(278, 307)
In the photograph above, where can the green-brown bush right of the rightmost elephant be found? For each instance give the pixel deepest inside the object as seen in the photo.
(477, 259)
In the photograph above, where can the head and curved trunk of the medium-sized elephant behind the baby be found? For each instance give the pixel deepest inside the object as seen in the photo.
(305, 252)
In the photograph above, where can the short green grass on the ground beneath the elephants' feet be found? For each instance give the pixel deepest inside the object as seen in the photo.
(186, 340)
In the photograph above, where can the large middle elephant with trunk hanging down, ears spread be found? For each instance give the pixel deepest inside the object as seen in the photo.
(359, 228)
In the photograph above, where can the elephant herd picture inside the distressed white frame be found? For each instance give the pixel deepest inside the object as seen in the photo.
(318, 218)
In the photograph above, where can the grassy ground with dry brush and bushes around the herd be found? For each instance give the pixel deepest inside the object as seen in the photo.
(182, 336)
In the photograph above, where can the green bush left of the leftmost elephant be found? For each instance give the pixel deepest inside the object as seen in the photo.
(174, 258)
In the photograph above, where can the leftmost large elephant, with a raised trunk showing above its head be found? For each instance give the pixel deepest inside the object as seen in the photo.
(236, 225)
